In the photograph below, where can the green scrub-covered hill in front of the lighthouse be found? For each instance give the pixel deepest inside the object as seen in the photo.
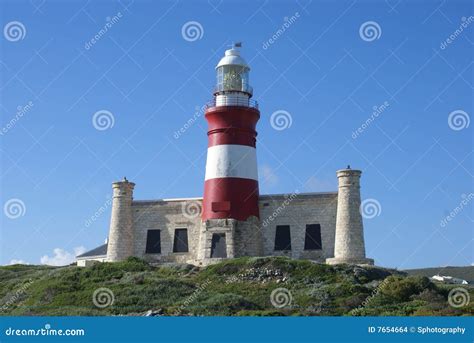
(245, 286)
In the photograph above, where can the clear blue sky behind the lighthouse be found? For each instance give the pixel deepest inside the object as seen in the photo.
(150, 74)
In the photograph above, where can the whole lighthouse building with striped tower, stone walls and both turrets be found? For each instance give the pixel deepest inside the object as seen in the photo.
(232, 219)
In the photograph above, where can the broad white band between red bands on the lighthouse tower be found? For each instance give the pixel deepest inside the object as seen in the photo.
(231, 161)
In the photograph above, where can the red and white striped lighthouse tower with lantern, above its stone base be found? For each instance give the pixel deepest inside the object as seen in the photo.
(231, 182)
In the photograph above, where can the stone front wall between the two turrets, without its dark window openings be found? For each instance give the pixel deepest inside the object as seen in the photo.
(243, 238)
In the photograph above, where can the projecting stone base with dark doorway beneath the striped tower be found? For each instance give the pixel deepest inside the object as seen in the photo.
(229, 238)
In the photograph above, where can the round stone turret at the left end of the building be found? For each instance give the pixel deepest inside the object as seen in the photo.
(120, 241)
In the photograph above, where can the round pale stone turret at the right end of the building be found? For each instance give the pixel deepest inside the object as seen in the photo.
(349, 246)
